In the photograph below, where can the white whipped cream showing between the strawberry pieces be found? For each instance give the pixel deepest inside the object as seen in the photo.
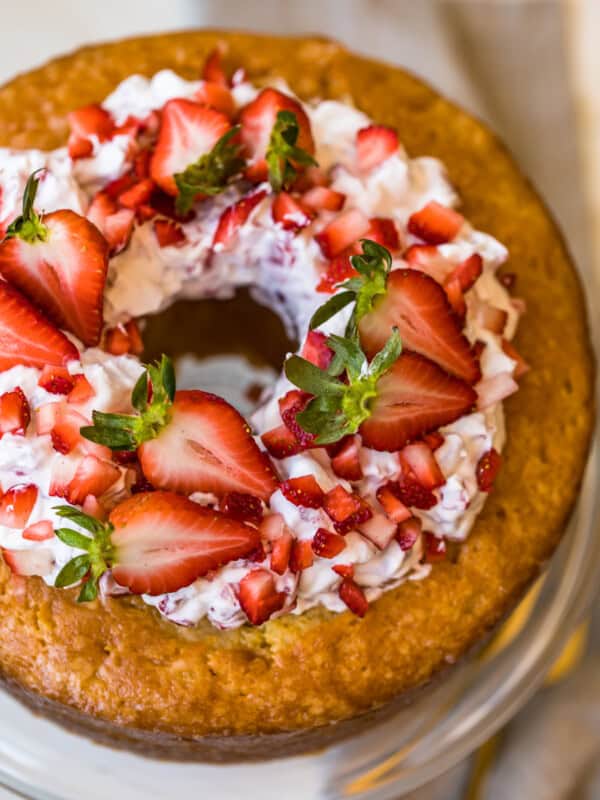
(283, 269)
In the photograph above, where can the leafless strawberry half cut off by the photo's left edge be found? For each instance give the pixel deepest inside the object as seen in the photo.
(26, 337)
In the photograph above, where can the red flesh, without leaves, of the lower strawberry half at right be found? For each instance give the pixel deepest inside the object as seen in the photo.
(413, 398)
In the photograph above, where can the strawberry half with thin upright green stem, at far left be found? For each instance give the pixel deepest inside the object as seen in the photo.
(59, 260)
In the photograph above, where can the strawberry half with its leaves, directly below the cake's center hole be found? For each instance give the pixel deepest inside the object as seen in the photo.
(187, 441)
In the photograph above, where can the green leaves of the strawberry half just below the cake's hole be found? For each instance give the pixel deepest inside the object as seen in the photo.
(129, 431)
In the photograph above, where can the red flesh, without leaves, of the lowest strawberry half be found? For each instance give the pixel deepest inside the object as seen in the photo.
(163, 542)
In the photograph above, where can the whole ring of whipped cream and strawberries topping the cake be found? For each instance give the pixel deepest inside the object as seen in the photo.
(281, 523)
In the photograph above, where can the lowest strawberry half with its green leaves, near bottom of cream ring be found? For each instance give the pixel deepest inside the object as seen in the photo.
(154, 543)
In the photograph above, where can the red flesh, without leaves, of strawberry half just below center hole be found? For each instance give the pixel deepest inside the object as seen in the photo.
(206, 447)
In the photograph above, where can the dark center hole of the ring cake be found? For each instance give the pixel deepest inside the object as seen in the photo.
(233, 348)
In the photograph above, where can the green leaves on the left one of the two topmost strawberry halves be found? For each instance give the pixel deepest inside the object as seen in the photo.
(212, 172)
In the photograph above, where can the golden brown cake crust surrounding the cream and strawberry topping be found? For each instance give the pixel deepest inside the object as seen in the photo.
(118, 661)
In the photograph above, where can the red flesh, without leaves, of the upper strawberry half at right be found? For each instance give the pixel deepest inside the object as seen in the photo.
(417, 306)
